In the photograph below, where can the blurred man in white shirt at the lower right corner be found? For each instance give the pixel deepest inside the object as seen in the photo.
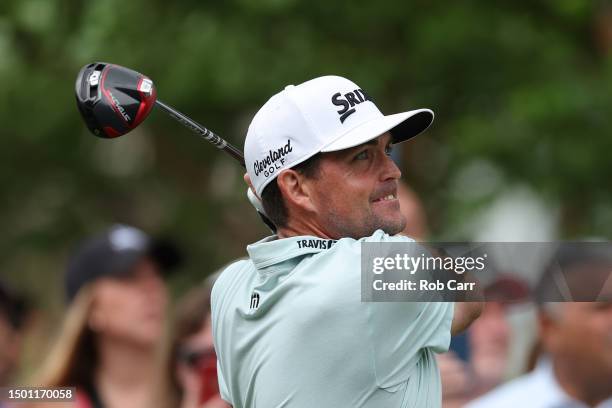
(575, 369)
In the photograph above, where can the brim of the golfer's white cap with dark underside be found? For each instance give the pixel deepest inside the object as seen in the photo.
(402, 126)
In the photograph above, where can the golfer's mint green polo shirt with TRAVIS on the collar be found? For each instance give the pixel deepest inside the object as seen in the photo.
(290, 330)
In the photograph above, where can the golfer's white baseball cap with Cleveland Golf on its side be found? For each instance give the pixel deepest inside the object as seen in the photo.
(325, 114)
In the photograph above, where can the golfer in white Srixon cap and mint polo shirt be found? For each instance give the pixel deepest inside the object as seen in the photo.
(289, 326)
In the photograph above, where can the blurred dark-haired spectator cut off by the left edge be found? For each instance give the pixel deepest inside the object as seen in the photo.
(13, 314)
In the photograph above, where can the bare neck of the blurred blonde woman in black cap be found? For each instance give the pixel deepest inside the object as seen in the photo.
(125, 373)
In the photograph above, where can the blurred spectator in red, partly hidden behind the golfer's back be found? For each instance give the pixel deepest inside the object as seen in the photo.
(193, 355)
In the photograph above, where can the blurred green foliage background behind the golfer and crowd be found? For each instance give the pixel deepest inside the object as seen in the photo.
(523, 86)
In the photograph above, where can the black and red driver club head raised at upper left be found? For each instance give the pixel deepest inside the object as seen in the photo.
(112, 99)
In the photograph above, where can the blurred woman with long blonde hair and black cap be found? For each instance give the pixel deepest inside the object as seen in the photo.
(110, 341)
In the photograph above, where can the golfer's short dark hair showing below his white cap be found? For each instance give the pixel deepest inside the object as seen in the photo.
(272, 197)
